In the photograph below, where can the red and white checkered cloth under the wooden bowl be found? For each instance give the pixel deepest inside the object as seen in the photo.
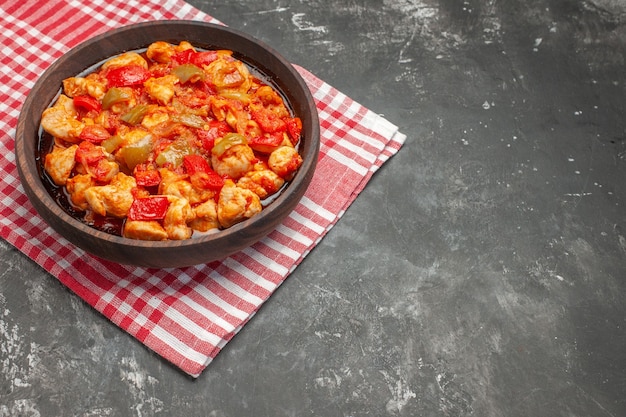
(185, 315)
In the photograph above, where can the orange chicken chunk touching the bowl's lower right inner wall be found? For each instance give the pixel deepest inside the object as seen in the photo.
(236, 204)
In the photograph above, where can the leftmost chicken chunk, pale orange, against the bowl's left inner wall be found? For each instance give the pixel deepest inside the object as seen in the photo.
(61, 120)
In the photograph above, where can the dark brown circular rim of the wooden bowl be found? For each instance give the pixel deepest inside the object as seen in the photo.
(36, 189)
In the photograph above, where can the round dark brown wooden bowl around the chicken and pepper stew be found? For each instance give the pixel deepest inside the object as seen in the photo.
(165, 254)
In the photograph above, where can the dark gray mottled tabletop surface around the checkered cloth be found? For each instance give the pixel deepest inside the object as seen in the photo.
(481, 272)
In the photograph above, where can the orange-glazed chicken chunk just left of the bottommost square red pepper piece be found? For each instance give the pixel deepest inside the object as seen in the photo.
(113, 199)
